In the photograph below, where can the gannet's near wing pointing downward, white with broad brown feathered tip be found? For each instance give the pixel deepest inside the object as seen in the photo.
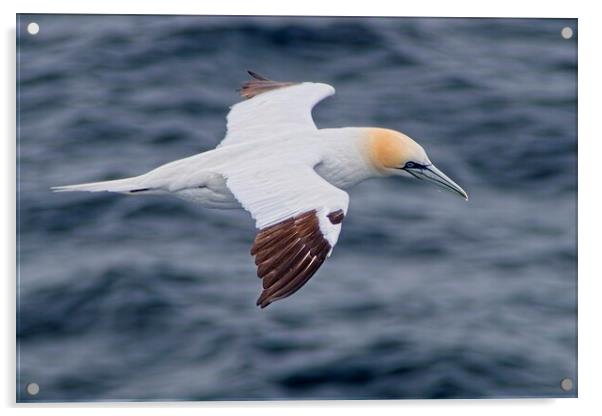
(299, 218)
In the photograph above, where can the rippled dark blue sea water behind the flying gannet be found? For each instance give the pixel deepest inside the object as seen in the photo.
(425, 296)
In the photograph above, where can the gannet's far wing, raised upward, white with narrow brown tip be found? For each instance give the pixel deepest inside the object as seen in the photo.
(272, 109)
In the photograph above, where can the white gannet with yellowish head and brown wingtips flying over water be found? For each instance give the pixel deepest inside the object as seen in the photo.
(288, 174)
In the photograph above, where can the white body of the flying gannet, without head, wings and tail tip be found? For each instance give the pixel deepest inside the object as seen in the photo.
(337, 155)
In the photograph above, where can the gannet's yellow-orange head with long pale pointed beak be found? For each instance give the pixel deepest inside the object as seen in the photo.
(394, 153)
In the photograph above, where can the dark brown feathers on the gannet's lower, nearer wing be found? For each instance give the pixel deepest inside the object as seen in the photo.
(288, 254)
